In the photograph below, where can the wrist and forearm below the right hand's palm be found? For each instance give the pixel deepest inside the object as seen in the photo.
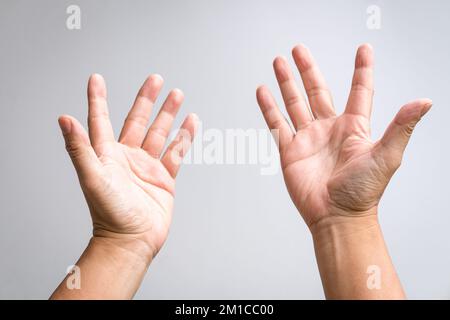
(353, 259)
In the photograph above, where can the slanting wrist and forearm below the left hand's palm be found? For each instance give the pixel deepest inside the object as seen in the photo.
(109, 269)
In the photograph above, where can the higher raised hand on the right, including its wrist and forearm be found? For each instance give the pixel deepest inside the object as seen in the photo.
(335, 174)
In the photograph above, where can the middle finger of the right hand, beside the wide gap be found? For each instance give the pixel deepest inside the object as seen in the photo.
(316, 88)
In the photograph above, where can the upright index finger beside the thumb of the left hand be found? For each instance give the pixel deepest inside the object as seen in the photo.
(100, 129)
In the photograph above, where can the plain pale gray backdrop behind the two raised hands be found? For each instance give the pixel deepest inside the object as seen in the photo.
(235, 233)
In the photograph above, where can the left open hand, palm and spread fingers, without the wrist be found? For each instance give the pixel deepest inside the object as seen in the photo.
(129, 184)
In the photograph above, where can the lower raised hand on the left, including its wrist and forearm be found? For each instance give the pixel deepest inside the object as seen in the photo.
(129, 187)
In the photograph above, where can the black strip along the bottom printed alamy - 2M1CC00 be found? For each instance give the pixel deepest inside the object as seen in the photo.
(227, 309)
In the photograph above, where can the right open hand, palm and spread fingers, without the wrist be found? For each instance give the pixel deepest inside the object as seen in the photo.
(330, 165)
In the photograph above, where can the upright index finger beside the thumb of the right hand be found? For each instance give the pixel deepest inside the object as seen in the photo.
(361, 93)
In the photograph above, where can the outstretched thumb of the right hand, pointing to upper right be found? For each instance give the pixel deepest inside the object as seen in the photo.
(399, 131)
